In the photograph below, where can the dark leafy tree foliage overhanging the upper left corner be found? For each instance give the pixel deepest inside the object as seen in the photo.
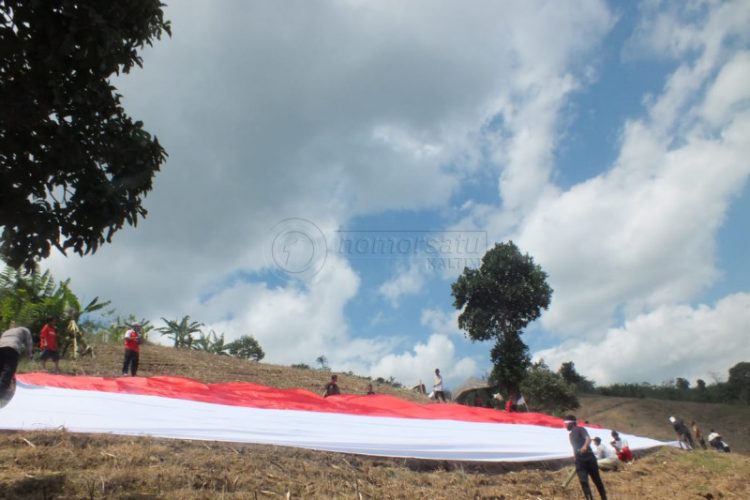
(74, 167)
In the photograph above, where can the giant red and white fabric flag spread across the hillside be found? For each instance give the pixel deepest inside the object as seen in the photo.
(379, 425)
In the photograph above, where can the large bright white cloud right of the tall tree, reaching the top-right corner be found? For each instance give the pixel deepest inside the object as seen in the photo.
(643, 233)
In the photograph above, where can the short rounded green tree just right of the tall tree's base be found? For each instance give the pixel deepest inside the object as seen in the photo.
(547, 391)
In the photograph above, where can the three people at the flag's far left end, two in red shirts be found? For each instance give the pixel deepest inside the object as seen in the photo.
(18, 339)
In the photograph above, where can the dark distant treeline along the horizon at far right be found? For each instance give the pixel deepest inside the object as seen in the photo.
(736, 390)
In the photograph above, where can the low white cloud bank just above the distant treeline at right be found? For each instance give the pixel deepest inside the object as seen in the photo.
(669, 342)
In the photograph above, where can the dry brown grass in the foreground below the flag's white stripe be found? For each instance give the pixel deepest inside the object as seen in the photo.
(64, 465)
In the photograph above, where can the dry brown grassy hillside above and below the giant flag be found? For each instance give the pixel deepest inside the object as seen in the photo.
(59, 464)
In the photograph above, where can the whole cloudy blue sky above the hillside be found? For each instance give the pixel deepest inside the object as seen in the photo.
(334, 165)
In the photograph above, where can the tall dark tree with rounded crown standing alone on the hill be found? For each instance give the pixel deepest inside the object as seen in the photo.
(497, 301)
